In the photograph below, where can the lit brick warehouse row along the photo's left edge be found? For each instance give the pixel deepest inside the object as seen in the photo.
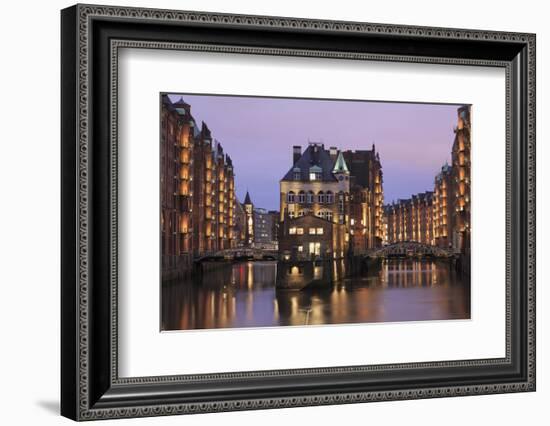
(197, 190)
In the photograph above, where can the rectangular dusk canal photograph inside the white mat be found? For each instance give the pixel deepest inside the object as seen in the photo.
(308, 212)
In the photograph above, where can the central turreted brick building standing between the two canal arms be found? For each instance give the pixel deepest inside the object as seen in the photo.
(321, 185)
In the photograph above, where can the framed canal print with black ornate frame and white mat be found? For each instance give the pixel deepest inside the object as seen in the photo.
(263, 212)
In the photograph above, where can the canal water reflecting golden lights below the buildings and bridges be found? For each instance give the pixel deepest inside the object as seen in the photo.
(245, 295)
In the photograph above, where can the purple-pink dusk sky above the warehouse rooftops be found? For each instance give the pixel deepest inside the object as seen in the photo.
(414, 140)
